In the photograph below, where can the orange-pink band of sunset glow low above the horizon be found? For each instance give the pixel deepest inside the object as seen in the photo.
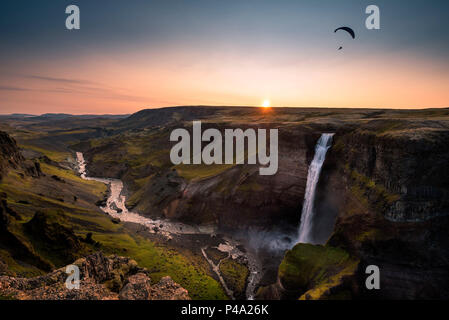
(125, 83)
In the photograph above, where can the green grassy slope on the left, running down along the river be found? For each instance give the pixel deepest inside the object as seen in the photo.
(28, 195)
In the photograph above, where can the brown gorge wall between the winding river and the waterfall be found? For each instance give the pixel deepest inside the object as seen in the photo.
(234, 198)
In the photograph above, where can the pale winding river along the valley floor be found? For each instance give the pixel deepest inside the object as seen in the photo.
(115, 207)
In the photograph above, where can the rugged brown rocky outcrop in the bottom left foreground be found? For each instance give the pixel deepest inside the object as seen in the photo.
(101, 278)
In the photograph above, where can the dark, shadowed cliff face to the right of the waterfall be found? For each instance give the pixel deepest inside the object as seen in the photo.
(392, 207)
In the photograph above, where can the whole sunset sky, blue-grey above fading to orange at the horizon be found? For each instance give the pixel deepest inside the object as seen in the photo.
(136, 54)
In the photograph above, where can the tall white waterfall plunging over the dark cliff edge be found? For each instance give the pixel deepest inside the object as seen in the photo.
(305, 229)
